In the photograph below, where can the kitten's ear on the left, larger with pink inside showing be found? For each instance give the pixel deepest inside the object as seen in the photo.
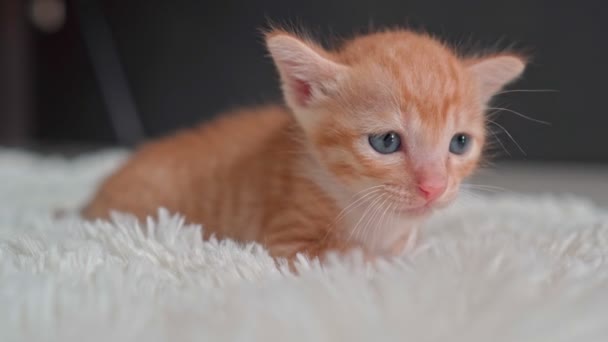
(306, 71)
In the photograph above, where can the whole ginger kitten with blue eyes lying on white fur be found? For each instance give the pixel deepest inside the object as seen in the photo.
(375, 135)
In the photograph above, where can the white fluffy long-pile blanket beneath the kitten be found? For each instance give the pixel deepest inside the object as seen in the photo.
(503, 269)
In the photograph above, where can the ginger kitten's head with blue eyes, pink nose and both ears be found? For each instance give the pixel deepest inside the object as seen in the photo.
(397, 112)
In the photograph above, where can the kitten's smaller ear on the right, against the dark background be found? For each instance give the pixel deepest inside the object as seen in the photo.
(494, 72)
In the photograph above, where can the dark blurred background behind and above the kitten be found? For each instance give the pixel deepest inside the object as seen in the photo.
(185, 61)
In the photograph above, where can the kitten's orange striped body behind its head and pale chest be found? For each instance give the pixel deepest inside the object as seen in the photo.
(256, 187)
